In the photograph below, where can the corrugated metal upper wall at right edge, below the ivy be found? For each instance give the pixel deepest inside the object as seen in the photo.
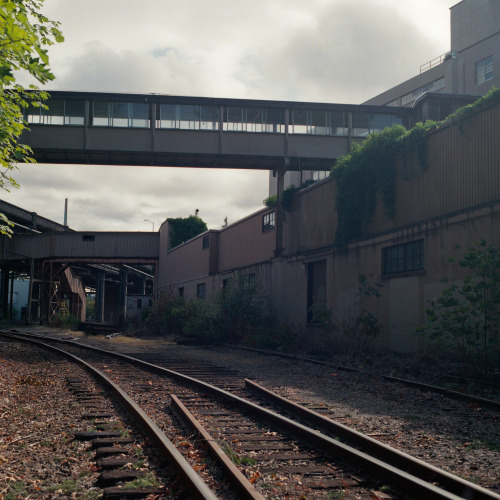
(463, 172)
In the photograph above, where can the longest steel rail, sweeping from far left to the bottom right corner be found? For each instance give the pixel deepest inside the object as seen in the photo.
(409, 484)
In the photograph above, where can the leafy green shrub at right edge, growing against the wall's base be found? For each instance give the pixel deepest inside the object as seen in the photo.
(466, 317)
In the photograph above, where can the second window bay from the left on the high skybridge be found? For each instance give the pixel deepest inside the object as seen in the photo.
(120, 114)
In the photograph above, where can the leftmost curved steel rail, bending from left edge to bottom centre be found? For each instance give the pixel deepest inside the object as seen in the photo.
(171, 454)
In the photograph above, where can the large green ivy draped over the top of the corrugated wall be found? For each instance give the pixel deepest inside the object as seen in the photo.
(369, 169)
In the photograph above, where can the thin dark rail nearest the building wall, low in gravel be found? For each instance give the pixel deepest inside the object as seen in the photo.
(457, 395)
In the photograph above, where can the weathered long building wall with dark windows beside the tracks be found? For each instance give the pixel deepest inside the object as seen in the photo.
(454, 201)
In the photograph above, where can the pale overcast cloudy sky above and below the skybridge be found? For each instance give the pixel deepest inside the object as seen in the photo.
(341, 51)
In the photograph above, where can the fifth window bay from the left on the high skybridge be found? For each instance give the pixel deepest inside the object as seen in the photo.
(317, 122)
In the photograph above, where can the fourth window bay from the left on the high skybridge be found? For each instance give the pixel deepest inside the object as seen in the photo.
(253, 119)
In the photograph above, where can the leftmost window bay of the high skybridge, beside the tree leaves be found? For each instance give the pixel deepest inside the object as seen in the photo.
(58, 112)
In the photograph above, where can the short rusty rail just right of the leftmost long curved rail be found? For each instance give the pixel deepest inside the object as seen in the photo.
(243, 485)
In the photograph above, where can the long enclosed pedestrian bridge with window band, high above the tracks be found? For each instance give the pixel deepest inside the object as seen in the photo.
(164, 130)
